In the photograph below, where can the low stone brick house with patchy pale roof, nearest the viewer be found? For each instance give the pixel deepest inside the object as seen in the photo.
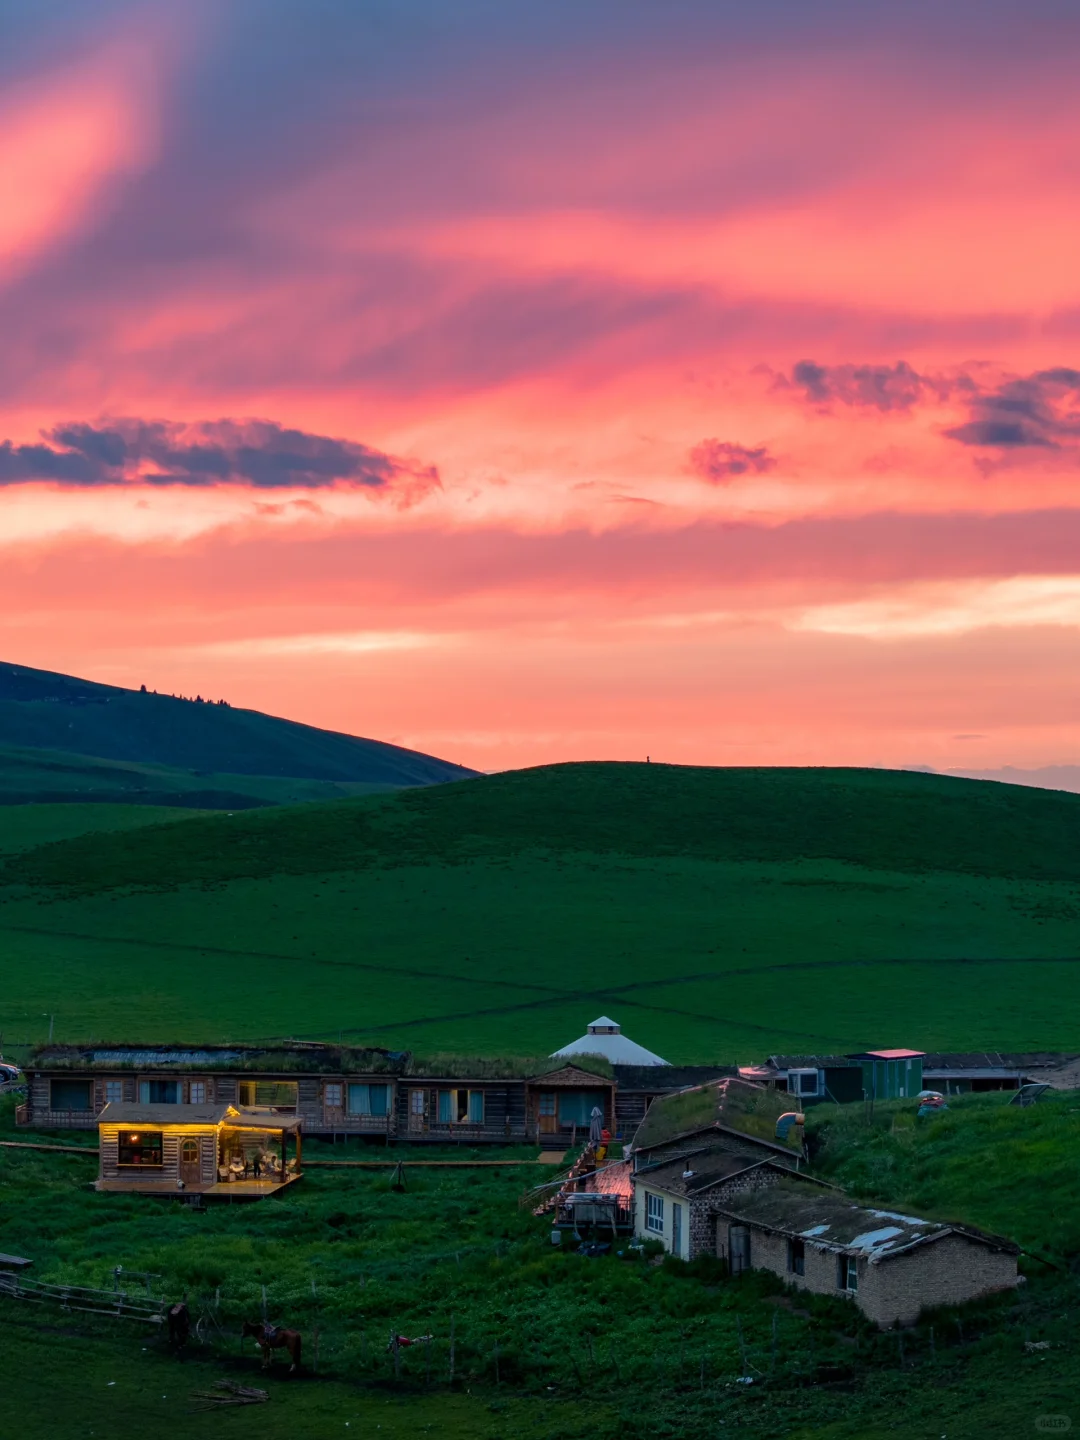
(892, 1266)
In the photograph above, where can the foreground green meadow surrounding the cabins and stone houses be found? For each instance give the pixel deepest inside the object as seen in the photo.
(546, 1344)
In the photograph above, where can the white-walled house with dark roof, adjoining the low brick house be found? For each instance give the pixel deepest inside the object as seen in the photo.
(676, 1197)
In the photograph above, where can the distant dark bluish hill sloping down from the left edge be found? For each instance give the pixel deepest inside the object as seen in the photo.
(214, 744)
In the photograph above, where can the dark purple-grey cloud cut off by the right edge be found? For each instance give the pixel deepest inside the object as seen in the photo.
(1039, 411)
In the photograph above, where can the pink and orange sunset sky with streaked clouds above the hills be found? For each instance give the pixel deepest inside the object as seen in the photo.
(531, 382)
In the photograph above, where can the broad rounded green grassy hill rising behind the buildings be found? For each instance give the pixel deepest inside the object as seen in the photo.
(719, 915)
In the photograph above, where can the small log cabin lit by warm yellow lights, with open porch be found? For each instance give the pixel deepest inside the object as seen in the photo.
(201, 1150)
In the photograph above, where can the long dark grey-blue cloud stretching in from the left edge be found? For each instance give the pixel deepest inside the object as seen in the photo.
(214, 453)
